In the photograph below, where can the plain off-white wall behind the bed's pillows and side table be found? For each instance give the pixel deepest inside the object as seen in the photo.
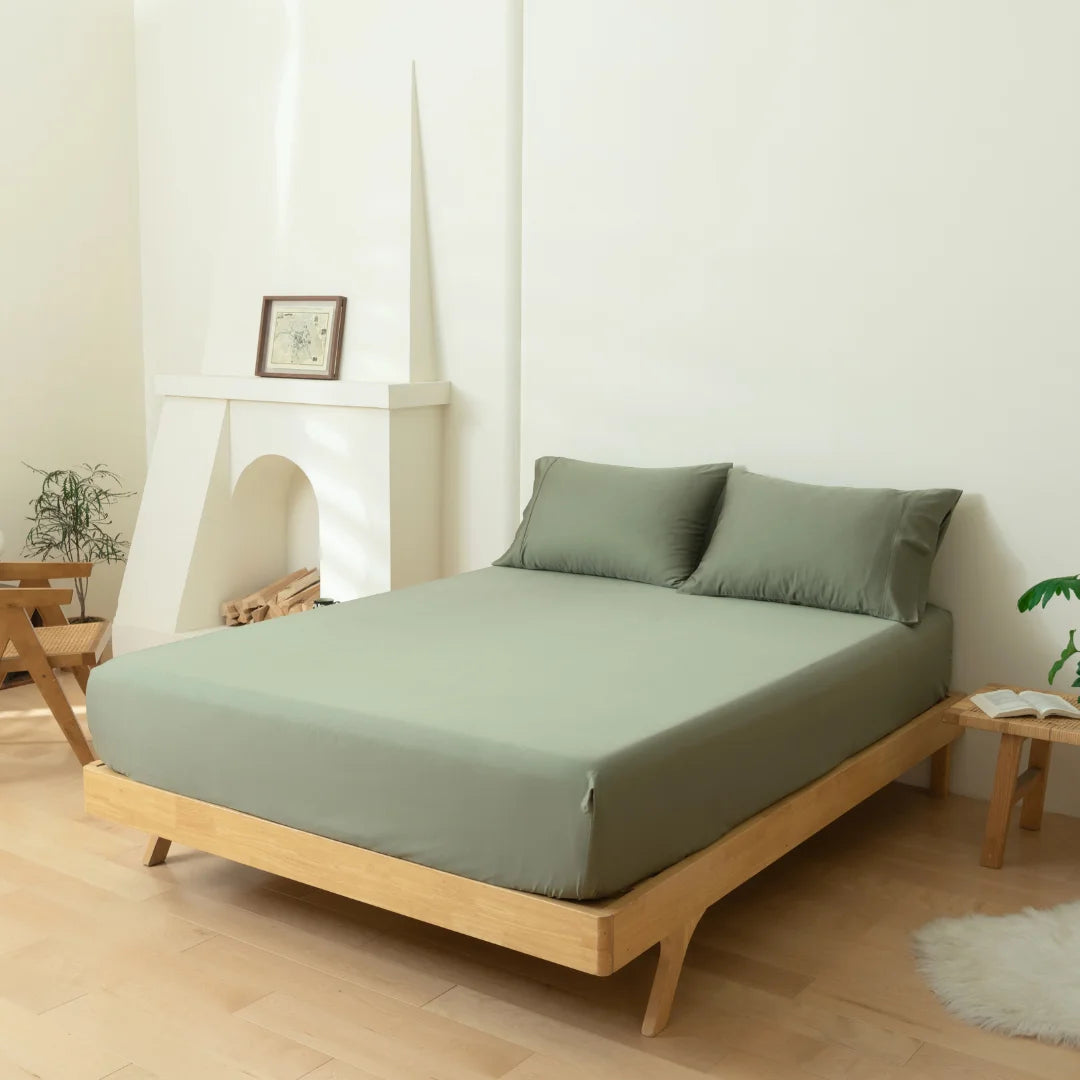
(835, 241)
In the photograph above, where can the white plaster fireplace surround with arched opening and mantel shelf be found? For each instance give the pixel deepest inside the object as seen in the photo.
(372, 453)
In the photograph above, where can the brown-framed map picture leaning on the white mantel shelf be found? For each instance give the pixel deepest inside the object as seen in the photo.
(301, 337)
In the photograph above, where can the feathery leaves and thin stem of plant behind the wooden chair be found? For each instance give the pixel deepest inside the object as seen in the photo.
(72, 522)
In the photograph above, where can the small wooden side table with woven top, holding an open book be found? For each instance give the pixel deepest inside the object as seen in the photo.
(1009, 789)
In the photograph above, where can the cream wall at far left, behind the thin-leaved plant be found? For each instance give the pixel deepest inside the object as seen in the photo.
(71, 369)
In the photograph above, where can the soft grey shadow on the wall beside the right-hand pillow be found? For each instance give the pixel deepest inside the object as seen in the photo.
(979, 578)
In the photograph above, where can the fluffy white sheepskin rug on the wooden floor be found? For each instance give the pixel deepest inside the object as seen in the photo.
(1019, 975)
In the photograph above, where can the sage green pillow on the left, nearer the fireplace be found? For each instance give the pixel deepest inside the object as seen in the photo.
(615, 522)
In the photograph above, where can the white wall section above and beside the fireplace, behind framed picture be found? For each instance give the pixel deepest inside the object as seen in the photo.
(277, 145)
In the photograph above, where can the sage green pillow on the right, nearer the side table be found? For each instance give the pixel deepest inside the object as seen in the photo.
(849, 549)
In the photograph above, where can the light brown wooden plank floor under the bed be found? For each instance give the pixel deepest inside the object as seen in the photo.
(200, 969)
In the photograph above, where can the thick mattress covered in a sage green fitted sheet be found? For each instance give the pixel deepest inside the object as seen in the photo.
(555, 734)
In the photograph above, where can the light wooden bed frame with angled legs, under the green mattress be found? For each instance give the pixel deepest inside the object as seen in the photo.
(597, 937)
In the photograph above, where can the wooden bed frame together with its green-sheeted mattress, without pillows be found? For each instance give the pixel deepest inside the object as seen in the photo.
(572, 766)
